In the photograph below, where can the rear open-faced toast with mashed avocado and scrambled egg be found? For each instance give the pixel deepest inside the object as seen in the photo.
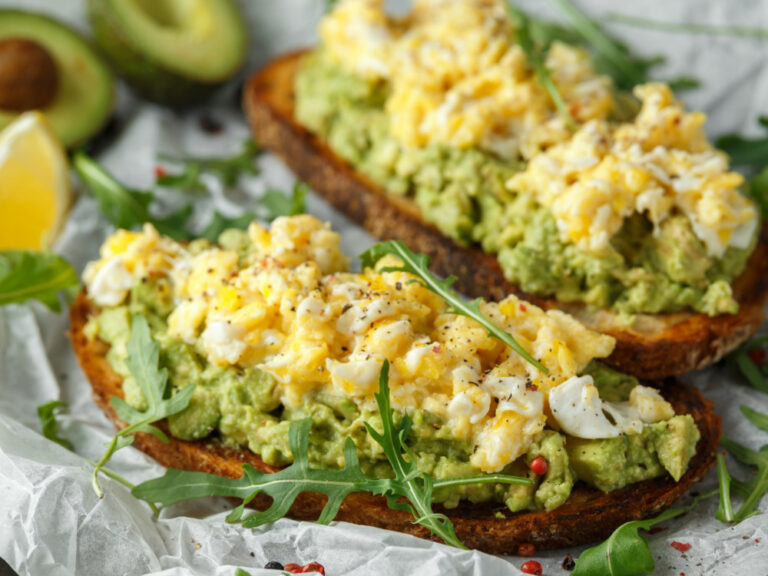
(435, 129)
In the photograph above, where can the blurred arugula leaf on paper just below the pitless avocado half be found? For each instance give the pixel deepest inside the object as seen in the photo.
(228, 170)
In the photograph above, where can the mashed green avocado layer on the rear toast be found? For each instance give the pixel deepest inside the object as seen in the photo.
(462, 192)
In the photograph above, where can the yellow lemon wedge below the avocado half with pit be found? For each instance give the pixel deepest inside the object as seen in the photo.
(35, 192)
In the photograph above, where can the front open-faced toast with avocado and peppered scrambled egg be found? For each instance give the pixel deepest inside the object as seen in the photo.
(271, 327)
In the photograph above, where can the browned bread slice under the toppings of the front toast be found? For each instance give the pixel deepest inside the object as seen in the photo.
(589, 515)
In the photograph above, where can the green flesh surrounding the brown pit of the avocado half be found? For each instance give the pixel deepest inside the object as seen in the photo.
(84, 96)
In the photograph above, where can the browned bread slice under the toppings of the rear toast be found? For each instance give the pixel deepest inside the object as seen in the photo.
(657, 346)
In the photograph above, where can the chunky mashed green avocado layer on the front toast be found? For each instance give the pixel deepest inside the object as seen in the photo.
(241, 406)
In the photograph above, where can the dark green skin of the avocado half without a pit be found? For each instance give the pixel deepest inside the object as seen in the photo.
(150, 80)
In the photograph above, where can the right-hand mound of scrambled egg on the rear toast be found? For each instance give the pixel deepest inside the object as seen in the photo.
(660, 164)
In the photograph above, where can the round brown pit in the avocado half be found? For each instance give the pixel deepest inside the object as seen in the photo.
(29, 77)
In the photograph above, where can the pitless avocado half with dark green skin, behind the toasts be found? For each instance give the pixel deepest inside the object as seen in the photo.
(173, 52)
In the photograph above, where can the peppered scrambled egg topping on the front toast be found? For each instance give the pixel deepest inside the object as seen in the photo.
(290, 307)
